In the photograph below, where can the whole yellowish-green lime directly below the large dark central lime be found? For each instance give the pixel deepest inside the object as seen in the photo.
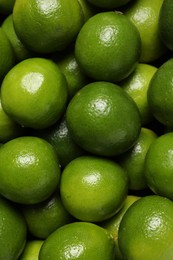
(92, 188)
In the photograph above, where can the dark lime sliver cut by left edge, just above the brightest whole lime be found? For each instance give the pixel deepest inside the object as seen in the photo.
(7, 57)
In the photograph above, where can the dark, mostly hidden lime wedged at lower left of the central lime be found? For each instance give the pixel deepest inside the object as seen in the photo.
(59, 137)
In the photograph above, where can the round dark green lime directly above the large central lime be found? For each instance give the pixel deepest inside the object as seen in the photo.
(108, 46)
